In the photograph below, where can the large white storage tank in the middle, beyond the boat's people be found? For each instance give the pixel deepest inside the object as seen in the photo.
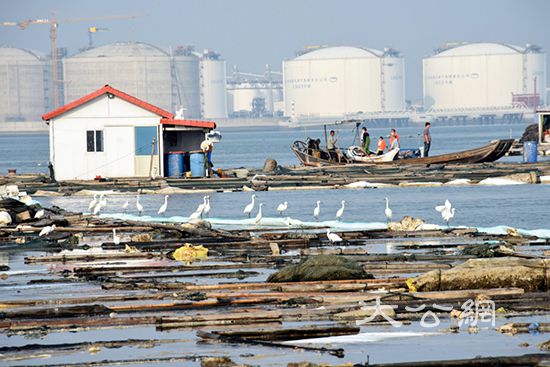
(339, 81)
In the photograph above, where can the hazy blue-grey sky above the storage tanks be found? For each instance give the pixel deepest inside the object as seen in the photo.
(252, 33)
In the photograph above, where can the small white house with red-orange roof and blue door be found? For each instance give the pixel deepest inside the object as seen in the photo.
(109, 133)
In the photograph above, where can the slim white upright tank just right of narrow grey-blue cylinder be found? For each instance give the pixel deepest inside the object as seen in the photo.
(213, 87)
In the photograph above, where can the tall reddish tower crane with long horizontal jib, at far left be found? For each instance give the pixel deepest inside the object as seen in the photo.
(54, 24)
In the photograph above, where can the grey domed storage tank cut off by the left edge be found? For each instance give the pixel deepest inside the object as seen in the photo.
(22, 85)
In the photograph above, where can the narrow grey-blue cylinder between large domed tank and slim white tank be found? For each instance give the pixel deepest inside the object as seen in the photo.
(186, 79)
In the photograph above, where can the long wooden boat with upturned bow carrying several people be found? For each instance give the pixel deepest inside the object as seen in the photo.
(487, 153)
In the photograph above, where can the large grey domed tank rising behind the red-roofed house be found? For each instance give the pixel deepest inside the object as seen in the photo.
(139, 69)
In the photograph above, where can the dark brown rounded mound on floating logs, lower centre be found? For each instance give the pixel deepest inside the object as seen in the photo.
(320, 267)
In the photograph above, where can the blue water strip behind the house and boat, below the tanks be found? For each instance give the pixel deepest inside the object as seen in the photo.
(250, 146)
